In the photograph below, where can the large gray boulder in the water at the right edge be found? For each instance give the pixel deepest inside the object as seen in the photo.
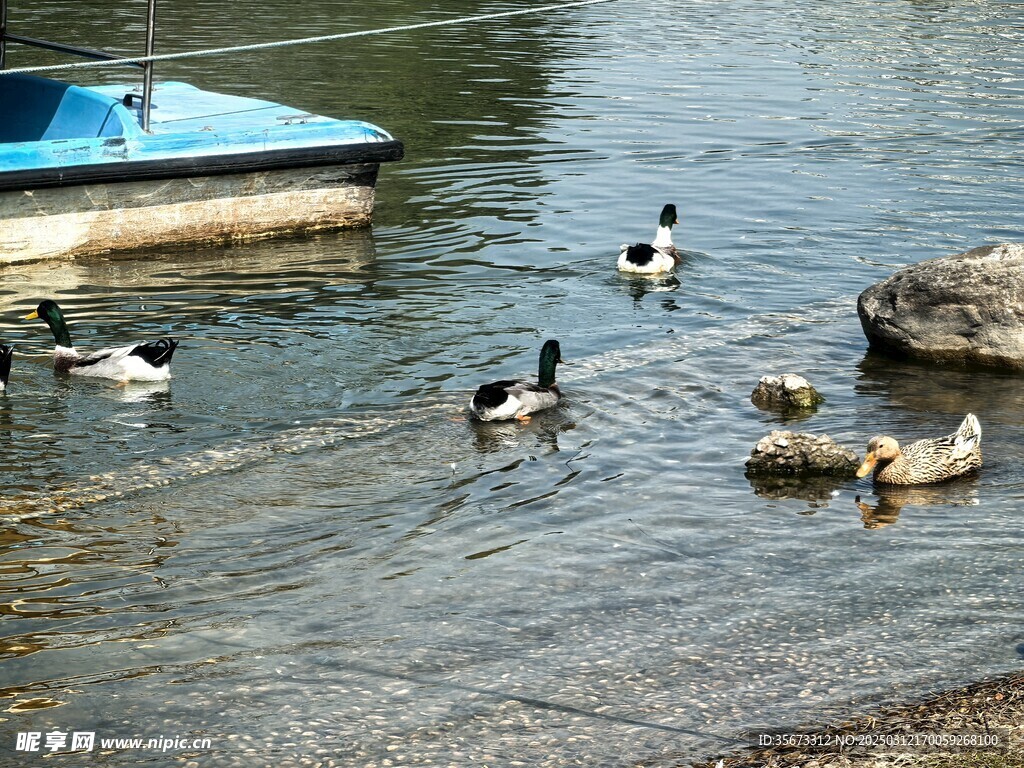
(967, 310)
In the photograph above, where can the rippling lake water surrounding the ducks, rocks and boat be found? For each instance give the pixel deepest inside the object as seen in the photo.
(303, 550)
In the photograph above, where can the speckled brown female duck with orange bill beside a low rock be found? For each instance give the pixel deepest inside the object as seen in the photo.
(932, 460)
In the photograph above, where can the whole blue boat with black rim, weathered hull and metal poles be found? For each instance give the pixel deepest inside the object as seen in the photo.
(87, 170)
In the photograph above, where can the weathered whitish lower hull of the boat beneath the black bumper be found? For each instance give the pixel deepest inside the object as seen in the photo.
(69, 222)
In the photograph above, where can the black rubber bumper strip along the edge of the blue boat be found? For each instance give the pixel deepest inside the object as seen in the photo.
(220, 165)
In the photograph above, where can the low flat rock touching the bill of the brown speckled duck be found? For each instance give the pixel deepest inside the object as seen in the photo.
(801, 454)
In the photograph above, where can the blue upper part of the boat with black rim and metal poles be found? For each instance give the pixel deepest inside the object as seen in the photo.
(59, 135)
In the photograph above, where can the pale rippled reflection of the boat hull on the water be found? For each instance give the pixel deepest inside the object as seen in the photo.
(180, 291)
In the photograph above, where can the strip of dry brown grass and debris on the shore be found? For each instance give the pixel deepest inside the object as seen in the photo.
(909, 737)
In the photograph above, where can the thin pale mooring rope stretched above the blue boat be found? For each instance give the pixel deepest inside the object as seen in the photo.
(305, 40)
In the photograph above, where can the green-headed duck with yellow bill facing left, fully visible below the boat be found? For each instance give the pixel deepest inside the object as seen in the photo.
(149, 361)
